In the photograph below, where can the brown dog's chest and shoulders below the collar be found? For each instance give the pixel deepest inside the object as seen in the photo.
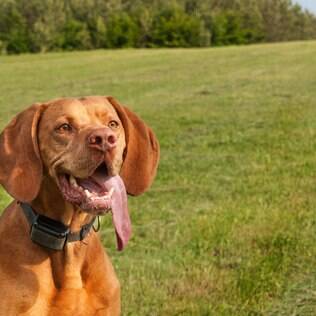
(81, 281)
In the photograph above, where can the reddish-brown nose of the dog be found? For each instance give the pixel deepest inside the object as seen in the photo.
(102, 139)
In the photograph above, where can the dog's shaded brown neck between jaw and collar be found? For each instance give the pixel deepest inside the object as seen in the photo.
(50, 203)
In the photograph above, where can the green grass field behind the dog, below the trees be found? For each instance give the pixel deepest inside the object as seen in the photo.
(229, 226)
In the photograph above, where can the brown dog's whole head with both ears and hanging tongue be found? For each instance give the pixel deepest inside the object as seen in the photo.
(94, 149)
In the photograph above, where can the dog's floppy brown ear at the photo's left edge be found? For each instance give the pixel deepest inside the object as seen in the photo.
(20, 162)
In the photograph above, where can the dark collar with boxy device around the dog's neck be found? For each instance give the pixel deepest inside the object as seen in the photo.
(50, 233)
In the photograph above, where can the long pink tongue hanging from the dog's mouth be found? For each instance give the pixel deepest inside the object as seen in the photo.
(120, 215)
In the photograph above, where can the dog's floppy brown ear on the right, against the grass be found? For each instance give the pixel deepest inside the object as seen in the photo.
(141, 154)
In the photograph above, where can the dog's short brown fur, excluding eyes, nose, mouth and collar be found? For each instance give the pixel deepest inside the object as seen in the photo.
(80, 280)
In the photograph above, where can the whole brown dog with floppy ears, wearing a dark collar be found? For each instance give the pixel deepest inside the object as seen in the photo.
(65, 162)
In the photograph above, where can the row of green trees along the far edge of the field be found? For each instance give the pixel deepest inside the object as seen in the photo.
(55, 25)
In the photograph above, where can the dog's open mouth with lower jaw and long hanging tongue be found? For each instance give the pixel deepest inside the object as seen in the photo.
(98, 194)
